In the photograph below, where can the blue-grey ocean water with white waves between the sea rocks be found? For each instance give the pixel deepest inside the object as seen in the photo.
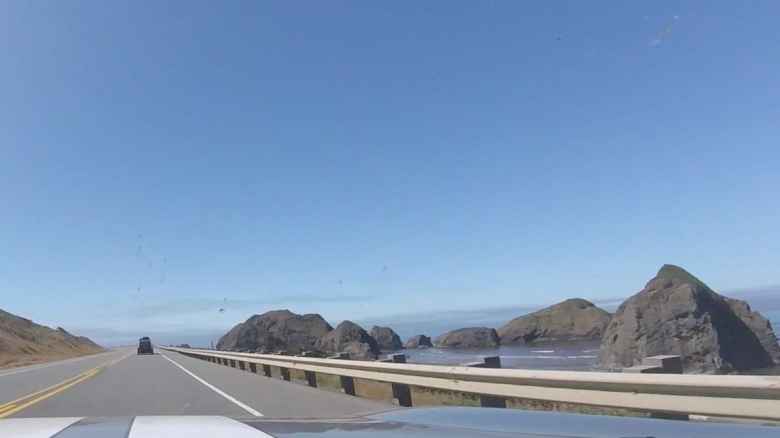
(579, 356)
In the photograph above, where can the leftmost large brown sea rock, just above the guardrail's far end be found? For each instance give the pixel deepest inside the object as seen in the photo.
(276, 330)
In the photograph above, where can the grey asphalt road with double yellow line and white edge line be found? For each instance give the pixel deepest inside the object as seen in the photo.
(120, 383)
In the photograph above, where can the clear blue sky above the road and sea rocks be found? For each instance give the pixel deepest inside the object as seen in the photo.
(160, 161)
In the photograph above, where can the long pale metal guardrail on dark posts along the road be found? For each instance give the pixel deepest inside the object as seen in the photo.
(745, 397)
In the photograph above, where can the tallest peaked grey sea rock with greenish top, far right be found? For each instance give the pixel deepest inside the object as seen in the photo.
(678, 314)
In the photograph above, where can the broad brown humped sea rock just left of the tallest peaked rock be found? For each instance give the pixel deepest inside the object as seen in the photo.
(573, 319)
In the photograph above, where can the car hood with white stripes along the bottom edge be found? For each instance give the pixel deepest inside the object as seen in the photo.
(405, 423)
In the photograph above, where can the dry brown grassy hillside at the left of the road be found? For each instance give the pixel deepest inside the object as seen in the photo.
(24, 342)
